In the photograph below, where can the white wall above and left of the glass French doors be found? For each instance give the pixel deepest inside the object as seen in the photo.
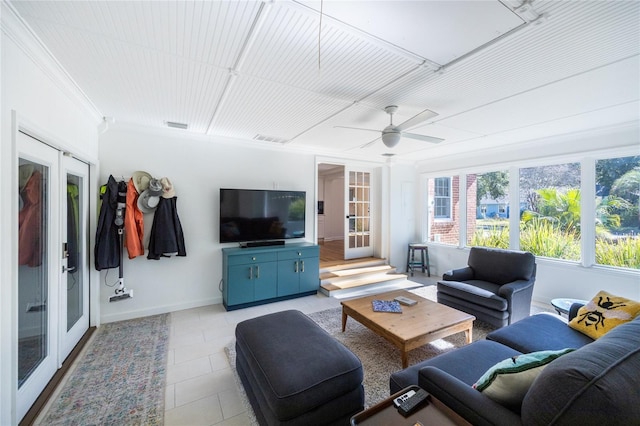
(45, 102)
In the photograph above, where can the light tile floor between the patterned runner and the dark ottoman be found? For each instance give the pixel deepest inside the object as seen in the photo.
(201, 389)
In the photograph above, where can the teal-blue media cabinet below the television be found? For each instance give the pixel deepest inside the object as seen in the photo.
(258, 275)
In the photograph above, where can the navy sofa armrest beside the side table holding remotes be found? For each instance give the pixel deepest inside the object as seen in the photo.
(472, 405)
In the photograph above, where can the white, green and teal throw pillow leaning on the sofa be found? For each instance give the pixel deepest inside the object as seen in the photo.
(508, 381)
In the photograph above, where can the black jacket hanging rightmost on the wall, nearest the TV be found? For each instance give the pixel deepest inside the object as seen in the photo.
(166, 236)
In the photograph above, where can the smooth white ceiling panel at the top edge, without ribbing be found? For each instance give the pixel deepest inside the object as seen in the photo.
(440, 31)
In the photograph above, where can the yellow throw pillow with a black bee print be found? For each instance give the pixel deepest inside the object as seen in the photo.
(604, 312)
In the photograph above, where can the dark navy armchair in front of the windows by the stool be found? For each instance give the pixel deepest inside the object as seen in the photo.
(496, 286)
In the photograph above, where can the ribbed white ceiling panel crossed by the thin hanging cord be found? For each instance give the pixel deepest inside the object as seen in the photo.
(291, 50)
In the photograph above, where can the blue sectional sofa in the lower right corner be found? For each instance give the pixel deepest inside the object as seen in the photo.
(598, 383)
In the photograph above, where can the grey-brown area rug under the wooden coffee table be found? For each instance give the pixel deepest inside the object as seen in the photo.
(379, 357)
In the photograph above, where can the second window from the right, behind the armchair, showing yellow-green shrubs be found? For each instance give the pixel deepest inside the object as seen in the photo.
(550, 211)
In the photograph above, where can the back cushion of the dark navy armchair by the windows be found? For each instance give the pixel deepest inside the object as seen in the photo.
(501, 266)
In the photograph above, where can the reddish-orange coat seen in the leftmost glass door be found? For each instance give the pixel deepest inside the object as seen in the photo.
(30, 222)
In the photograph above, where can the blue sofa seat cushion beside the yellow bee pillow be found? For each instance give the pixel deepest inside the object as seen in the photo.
(539, 333)
